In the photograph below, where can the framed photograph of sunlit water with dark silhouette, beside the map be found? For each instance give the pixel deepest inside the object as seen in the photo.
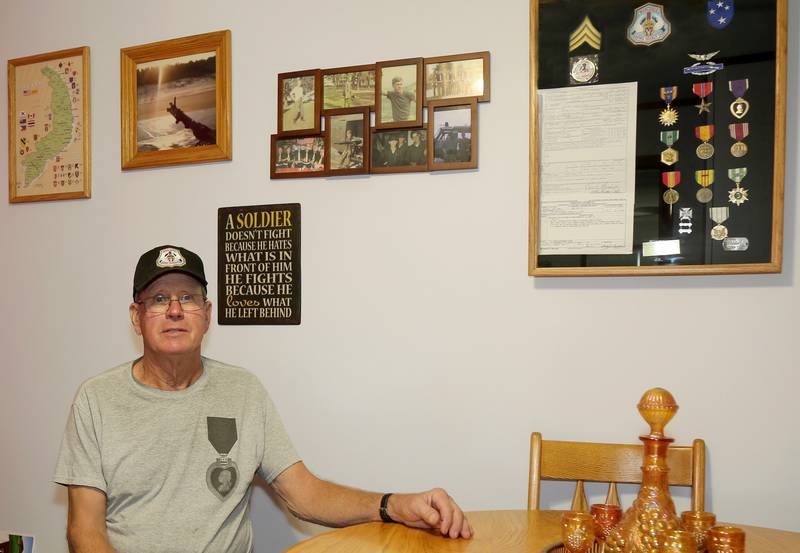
(176, 104)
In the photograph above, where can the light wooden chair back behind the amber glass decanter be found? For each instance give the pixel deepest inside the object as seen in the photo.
(612, 463)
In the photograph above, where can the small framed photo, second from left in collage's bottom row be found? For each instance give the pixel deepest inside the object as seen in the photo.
(347, 133)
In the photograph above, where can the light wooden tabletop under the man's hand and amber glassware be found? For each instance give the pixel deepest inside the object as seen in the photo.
(495, 532)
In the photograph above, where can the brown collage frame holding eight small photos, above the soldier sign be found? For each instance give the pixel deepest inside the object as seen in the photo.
(325, 117)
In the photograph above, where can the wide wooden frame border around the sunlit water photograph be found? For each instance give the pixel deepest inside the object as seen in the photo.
(217, 42)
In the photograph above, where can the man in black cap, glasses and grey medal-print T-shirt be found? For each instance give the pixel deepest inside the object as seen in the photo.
(160, 453)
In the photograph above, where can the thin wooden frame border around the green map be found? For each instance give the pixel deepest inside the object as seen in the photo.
(82, 51)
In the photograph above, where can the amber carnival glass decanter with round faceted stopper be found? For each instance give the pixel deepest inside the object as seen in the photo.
(644, 526)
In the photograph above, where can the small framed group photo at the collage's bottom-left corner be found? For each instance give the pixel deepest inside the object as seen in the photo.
(297, 157)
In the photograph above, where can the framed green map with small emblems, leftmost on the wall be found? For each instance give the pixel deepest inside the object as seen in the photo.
(49, 146)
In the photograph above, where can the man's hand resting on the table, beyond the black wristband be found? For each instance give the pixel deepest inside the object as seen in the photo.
(433, 509)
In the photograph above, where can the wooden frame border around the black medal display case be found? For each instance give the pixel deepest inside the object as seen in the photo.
(776, 262)
